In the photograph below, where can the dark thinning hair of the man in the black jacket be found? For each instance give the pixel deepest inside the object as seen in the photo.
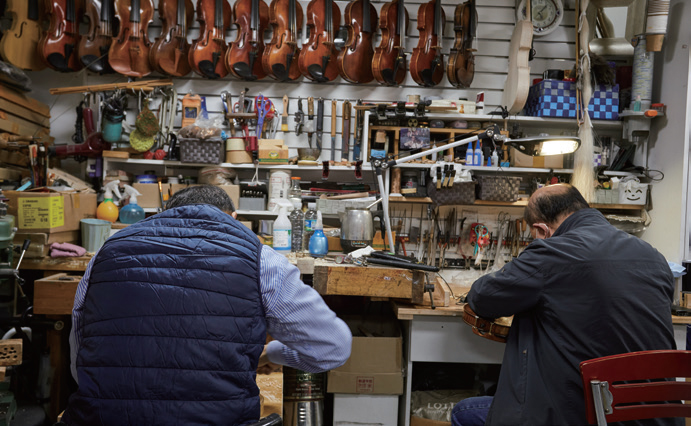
(549, 206)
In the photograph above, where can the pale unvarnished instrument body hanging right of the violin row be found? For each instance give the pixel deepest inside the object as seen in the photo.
(518, 79)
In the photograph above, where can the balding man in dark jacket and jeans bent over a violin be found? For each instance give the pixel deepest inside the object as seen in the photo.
(581, 290)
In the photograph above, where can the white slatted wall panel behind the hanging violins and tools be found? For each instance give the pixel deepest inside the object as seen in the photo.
(497, 18)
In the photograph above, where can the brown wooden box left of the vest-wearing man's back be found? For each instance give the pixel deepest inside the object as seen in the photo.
(54, 295)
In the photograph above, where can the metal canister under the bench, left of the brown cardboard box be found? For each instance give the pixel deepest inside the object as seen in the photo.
(303, 398)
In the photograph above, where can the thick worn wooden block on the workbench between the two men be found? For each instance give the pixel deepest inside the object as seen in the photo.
(363, 281)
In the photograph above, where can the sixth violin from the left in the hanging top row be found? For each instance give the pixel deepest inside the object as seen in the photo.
(207, 52)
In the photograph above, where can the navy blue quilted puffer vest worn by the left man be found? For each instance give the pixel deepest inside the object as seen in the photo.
(173, 324)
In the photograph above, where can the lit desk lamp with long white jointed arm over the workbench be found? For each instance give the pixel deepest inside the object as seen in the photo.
(533, 146)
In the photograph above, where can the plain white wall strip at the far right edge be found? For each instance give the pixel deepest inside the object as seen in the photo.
(669, 145)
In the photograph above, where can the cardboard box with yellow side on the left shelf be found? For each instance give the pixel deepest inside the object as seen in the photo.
(48, 211)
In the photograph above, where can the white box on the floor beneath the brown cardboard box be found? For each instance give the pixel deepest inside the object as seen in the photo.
(365, 410)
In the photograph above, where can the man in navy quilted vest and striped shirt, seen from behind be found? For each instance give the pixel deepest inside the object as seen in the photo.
(171, 317)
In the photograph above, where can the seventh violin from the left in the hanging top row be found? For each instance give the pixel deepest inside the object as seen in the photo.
(244, 56)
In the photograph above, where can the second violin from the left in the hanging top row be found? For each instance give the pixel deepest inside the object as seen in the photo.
(58, 45)
